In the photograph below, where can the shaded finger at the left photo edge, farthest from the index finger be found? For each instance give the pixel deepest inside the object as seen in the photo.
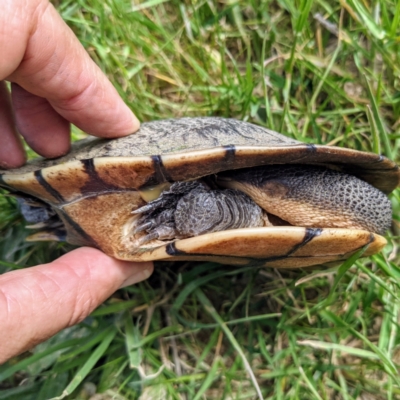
(12, 153)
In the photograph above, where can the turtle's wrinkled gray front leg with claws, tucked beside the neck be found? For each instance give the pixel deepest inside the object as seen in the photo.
(190, 209)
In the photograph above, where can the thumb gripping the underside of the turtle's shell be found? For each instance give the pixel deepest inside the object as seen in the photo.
(37, 302)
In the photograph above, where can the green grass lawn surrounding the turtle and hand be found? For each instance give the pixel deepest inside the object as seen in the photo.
(205, 331)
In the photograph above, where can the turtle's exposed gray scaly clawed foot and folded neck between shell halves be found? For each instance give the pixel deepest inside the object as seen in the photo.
(302, 195)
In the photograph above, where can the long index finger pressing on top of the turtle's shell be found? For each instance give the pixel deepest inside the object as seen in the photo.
(60, 70)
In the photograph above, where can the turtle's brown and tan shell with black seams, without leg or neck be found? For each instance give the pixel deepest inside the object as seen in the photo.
(96, 186)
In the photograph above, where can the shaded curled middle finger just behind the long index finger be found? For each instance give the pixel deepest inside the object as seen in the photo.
(45, 131)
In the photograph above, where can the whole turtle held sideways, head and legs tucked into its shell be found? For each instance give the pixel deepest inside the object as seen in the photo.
(210, 189)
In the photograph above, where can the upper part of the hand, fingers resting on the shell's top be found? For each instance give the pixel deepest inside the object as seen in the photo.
(53, 82)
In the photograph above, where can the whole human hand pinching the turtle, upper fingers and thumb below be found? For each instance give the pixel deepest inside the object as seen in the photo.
(53, 82)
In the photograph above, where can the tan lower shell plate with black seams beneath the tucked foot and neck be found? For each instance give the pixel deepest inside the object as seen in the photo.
(278, 247)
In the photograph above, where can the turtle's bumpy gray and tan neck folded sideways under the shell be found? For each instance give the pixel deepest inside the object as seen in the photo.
(313, 196)
